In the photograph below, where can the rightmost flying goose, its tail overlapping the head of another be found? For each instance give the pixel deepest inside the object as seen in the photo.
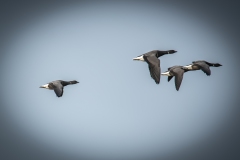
(203, 65)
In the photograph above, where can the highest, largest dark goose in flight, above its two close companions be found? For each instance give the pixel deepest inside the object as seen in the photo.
(153, 62)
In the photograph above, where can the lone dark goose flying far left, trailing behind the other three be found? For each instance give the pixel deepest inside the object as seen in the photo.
(57, 86)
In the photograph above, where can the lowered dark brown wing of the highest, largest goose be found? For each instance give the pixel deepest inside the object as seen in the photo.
(154, 67)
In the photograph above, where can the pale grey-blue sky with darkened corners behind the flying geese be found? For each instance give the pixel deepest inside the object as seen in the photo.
(117, 110)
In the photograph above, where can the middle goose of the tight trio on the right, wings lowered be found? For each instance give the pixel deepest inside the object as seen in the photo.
(177, 72)
